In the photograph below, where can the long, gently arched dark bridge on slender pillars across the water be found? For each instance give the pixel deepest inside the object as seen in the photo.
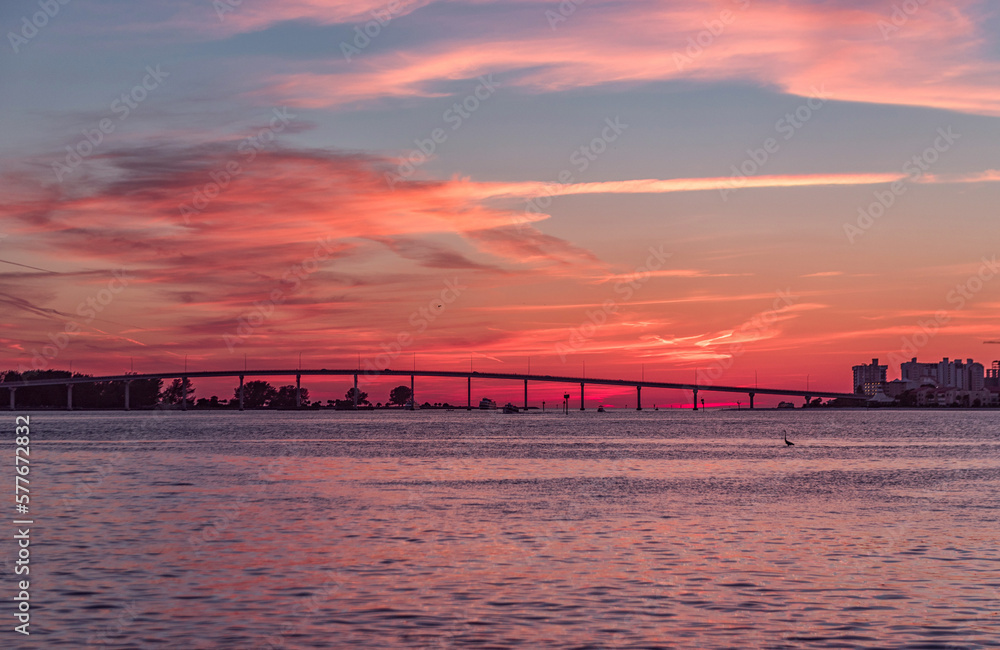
(752, 391)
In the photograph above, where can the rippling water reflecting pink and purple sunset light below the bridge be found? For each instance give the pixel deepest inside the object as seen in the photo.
(455, 529)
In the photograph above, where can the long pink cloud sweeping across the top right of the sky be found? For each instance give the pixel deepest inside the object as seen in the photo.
(799, 48)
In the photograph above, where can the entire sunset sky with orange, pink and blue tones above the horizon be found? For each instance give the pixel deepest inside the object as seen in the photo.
(724, 192)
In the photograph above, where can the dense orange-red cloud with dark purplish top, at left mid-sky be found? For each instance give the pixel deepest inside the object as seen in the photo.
(289, 196)
